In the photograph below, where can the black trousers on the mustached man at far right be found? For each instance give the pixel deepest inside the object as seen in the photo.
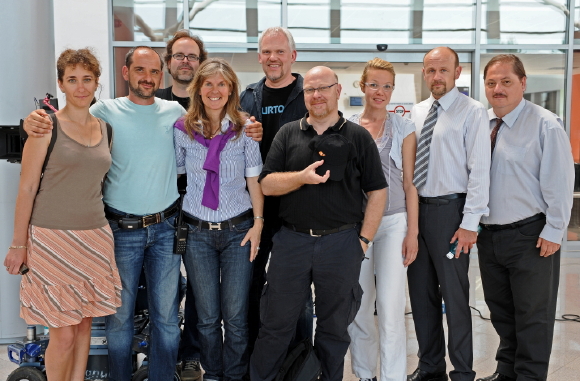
(520, 289)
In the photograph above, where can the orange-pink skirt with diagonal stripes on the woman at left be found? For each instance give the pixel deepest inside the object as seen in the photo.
(72, 275)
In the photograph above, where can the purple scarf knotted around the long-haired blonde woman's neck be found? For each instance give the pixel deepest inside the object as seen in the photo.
(215, 146)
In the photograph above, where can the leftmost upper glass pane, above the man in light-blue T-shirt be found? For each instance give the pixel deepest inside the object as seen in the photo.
(146, 20)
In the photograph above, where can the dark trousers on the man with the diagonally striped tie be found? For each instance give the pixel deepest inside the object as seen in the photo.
(433, 276)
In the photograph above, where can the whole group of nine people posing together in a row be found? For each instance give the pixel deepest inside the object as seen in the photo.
(350, 206)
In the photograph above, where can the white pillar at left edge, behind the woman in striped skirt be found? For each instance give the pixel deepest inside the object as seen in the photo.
(27, 70)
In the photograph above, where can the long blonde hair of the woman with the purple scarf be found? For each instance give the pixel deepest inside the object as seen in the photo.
(196, 111)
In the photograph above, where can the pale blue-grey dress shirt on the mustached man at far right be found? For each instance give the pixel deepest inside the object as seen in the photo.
(532, 170)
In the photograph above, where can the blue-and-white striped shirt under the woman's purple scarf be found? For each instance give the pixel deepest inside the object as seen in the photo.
(239, 159)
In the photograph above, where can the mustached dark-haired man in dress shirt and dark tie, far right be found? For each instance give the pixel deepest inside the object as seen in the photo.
(532, 183)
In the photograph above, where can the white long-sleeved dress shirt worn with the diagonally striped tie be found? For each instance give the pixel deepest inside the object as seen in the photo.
(460, 153)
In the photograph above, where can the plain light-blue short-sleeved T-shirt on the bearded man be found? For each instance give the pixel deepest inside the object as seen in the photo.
(142, 179)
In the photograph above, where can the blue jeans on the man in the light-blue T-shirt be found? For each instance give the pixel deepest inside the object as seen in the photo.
(151, 248)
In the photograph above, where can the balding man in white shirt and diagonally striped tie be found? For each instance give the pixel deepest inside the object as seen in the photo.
(452, 178)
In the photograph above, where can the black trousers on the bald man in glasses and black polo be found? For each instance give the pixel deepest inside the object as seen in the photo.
(332, 263)
